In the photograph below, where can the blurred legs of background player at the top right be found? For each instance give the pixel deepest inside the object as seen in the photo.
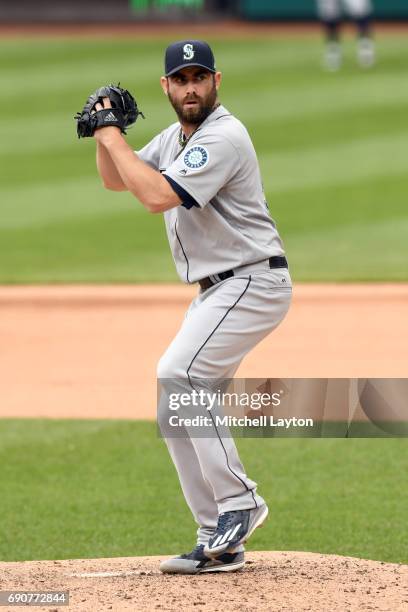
(331, 13)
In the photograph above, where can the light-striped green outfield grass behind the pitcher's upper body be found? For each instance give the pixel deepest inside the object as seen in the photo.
(333, 150)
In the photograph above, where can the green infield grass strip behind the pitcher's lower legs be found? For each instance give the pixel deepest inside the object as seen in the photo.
(100, 489)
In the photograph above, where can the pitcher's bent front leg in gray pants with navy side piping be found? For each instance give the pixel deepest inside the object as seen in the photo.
(230, 319)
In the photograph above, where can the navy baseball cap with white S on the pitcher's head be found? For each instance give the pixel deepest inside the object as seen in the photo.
(185, 53)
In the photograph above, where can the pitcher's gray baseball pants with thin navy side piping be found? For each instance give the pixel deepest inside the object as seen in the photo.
(221, 326)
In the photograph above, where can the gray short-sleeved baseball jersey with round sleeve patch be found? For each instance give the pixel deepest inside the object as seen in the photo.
(224, 221)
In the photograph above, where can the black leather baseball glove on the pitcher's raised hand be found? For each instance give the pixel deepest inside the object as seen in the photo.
(123, 113)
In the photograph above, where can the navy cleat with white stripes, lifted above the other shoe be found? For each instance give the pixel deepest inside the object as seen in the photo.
(233, 529)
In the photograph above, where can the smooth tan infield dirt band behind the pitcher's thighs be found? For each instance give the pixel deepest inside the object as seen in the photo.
(91, 352)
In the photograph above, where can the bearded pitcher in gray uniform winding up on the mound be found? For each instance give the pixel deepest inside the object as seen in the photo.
(202, 173)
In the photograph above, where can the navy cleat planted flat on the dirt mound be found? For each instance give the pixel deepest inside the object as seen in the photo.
(197, 562)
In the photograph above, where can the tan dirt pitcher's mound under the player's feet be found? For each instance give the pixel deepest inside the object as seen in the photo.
(273, 581)
